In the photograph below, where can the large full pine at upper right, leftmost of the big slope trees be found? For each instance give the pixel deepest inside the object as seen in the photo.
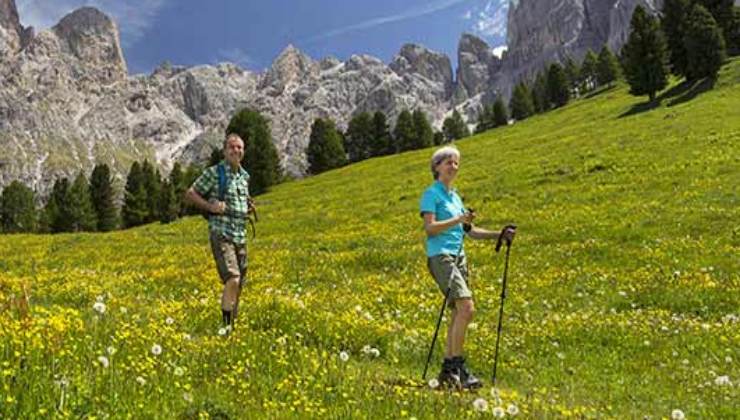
(645, 55)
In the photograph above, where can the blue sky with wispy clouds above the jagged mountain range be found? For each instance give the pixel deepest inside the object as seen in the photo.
(252, 33)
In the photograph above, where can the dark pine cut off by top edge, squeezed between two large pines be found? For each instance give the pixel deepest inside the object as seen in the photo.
(673, 23)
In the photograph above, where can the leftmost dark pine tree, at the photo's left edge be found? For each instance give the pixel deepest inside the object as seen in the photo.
(17, 209)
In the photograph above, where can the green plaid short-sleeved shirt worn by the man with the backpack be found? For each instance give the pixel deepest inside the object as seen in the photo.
(231, 224)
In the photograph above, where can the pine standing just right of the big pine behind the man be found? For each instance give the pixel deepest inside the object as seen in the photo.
(325, 149)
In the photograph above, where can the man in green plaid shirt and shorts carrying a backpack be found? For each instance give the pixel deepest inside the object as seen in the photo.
(222, 191)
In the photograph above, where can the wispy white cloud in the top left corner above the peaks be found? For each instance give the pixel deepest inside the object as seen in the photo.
(133, 17)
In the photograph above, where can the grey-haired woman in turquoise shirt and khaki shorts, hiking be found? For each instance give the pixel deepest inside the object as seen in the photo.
(446, 221)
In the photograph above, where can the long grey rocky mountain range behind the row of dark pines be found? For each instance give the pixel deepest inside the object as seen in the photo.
(67, 101)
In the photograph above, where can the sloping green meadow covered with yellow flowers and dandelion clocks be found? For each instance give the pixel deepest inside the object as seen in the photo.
(623, 288)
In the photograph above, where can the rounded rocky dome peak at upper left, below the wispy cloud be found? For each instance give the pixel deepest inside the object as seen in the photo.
(92, 37)
